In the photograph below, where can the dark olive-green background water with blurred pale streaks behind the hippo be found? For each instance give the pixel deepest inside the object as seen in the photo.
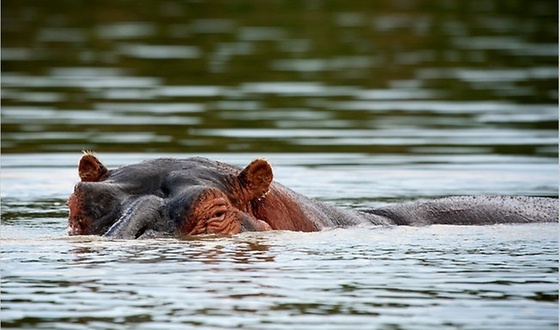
(245, 76)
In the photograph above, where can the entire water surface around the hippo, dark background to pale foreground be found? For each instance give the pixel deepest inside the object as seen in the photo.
(356, 103)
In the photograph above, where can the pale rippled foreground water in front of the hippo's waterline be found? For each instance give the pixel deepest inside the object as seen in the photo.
(439, 276)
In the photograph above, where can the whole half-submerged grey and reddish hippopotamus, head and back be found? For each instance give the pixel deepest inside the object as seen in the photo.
(169, 197)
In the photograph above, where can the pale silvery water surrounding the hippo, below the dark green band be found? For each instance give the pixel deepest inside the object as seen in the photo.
(484, 277)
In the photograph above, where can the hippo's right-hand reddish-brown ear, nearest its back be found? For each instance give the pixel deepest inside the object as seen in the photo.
(256, 178)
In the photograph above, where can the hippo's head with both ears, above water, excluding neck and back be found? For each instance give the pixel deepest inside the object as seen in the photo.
(168, 197)
